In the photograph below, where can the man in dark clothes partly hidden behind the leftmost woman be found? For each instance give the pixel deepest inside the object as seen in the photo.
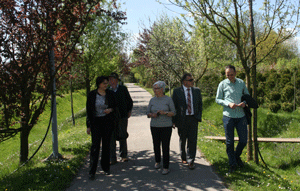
(124, 104)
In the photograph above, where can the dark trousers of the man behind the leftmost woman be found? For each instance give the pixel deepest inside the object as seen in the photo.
(123, 123)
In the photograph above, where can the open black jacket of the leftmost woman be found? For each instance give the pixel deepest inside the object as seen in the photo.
(91, 109)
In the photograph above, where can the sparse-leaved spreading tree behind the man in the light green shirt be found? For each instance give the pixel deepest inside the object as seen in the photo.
(231, 19)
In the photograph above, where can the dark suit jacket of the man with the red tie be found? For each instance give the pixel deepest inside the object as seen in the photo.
(181, 106)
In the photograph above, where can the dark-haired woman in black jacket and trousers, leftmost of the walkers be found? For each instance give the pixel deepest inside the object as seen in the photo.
(100, 108)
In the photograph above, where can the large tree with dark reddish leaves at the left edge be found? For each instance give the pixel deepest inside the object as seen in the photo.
(29, 30)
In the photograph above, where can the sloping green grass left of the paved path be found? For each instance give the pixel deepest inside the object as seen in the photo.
(38, 174)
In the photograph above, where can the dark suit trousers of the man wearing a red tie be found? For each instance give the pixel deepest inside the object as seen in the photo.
(188, 134)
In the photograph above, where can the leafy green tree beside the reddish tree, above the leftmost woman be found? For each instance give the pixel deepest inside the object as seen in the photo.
(101, 45)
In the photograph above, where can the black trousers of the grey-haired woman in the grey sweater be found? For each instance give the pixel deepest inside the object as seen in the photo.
(162, 136)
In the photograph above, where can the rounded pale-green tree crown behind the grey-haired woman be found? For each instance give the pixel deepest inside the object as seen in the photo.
(171, 49)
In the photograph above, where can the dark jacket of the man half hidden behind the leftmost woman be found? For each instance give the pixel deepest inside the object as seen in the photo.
(124, 101)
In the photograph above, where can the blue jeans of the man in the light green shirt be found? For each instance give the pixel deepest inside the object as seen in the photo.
(241, 127)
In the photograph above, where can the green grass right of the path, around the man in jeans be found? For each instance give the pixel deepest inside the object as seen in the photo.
(282, 159)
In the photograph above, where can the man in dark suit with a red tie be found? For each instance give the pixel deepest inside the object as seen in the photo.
(188, 105)
